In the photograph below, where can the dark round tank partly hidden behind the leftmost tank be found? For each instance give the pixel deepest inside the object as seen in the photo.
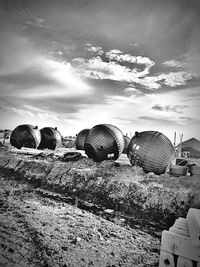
(50, 138)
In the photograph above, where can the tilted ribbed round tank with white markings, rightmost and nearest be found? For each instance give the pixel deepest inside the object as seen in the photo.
(150, 150)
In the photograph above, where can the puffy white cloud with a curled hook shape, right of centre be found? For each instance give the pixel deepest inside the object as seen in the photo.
(96, 68)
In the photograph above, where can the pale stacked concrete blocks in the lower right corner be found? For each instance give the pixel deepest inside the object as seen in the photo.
(180, 245)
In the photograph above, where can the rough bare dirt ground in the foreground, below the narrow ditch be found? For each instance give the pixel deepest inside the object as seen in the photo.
(37, 231)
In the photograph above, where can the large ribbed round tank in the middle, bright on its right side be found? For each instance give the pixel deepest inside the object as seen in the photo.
(104, 141)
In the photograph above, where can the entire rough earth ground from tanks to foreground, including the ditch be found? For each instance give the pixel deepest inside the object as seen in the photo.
(82, 213)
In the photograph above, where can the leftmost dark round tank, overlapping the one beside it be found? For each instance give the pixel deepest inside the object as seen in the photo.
(25, 135)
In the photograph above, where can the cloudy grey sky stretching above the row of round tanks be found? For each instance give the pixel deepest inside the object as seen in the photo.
(73, 64)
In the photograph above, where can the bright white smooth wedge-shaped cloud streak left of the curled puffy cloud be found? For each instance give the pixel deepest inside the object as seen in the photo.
(65, 81)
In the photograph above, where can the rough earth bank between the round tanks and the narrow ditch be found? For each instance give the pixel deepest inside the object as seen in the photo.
(124, 189)
